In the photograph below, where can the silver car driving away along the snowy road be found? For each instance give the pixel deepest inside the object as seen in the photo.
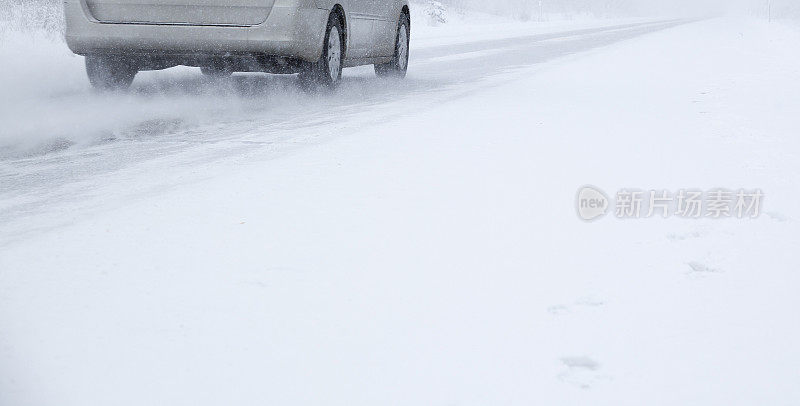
(315, 38)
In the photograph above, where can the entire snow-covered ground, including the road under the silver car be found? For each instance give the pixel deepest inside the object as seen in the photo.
(409, 242)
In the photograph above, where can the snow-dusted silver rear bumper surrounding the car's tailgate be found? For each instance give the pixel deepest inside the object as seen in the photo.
(292, 29)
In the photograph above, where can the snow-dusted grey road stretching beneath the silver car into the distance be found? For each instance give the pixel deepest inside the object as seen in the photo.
(65, 146)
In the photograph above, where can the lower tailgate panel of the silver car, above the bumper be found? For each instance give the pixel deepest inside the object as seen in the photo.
(191, 12)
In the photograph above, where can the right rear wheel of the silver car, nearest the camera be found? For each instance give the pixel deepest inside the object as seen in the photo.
(327, 71)
